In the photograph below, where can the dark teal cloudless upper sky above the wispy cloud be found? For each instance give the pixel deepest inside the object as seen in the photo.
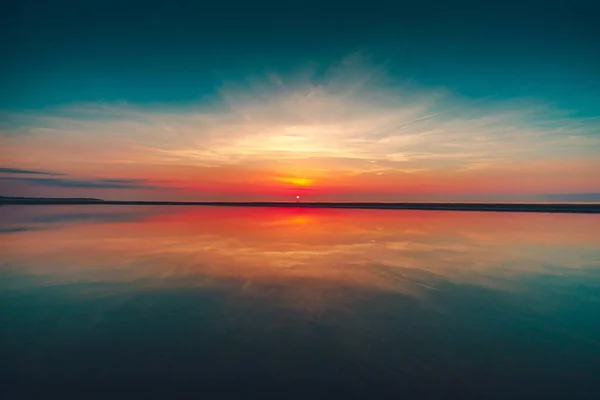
(144, 52)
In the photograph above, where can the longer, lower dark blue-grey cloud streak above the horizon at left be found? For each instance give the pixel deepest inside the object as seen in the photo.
(88, 183)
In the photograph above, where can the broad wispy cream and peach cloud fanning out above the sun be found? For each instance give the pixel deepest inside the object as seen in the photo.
(349, 120)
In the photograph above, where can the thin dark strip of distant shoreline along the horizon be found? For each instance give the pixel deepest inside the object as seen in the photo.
(497, 207)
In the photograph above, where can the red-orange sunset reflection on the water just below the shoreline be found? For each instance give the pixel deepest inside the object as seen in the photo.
(306, 257)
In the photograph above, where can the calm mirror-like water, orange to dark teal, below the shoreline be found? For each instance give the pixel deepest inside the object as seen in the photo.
(304, 303)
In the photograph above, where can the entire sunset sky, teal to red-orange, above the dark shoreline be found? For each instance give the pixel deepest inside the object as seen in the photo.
(329, 101)
